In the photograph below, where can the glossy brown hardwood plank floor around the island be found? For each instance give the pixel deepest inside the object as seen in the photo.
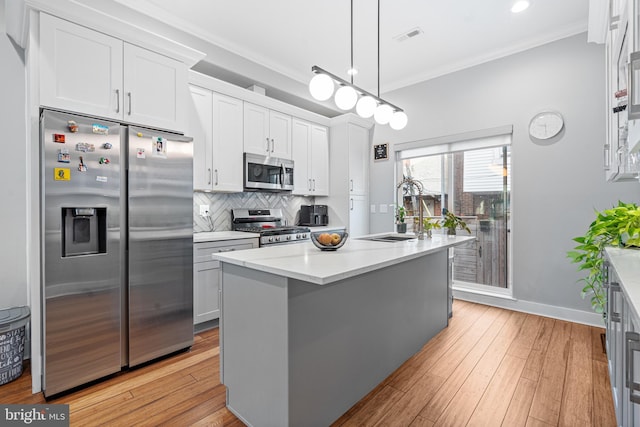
(490, 367)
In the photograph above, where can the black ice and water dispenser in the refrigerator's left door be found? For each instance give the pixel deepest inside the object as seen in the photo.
(84, 231)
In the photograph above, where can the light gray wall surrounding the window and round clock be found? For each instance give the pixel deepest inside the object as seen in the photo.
(555, 187)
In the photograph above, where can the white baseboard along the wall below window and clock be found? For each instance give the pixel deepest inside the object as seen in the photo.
(562, 313)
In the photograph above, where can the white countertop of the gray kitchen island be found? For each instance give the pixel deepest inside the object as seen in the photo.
(305, 262)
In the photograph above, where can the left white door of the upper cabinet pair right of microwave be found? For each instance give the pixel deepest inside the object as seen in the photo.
(300, 153)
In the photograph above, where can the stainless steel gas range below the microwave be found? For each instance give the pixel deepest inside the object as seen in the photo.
(268, 223)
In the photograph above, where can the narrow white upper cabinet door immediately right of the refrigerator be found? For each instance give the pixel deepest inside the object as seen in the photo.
(201, 130)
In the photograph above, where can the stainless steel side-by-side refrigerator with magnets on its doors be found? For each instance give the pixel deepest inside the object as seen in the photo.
(117, 247)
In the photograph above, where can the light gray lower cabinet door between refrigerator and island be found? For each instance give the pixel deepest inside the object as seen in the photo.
(206, 284)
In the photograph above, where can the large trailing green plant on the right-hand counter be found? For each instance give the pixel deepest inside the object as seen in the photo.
(618, 226)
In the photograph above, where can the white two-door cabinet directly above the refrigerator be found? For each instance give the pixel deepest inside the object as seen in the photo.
(88, 72)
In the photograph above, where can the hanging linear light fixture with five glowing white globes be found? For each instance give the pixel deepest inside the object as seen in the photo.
(349, 95)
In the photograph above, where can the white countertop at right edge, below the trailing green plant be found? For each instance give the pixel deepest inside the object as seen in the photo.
(626, 262)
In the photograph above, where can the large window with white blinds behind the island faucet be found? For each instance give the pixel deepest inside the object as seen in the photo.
(472, 178)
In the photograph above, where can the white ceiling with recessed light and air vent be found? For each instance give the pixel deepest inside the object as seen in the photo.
(289, 36)
